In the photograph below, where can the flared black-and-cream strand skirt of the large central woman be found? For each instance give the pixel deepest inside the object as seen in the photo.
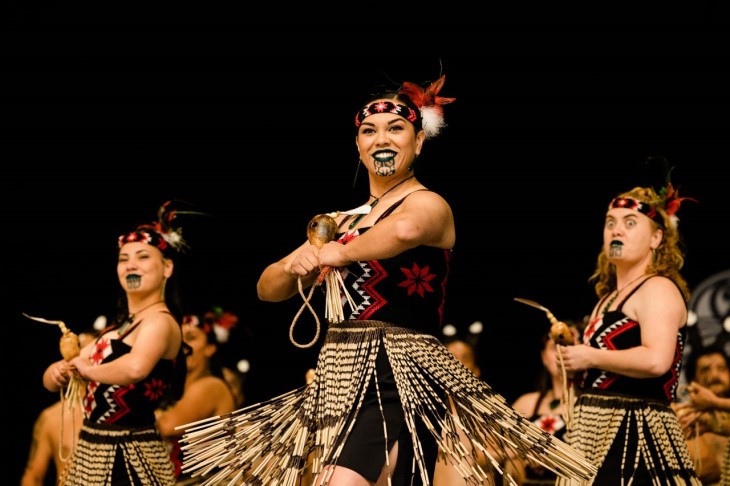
(271, 442)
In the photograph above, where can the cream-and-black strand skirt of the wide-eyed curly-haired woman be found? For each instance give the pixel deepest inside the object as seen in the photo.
(644, 436)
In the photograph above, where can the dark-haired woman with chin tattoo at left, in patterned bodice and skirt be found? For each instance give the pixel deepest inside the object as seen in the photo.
(130, 368)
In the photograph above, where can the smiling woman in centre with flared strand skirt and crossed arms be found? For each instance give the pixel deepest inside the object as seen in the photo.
(380, 404)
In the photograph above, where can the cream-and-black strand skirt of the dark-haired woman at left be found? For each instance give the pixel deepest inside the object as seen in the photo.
(145, 460)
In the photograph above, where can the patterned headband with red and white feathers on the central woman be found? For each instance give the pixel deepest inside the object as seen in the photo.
(430, 115)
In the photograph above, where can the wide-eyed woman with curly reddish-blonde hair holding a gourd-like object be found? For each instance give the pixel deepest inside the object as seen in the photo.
(628, 365)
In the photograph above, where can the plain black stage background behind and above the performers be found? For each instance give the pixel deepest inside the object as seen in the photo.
(113, 111)
